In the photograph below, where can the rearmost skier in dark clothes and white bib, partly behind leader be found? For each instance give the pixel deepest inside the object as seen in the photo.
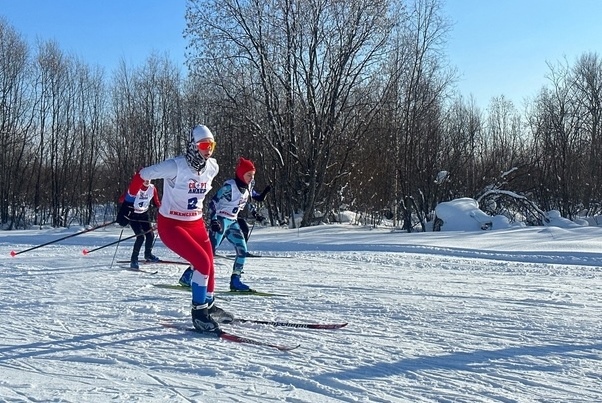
(134, 211)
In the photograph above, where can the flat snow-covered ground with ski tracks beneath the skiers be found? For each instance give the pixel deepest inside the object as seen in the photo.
(502, 315)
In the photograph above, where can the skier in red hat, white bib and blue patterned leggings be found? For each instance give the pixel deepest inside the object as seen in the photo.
(224, 209)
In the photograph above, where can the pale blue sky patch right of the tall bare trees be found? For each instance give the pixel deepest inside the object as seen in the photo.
(503, 46)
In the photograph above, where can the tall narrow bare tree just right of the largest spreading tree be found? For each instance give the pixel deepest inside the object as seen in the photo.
(422, 81)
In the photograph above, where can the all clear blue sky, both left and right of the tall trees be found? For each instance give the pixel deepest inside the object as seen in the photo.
(498, 46)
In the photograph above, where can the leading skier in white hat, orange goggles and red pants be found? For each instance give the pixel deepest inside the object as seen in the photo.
(187, 180)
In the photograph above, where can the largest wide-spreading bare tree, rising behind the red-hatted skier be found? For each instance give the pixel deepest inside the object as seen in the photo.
(291, 69)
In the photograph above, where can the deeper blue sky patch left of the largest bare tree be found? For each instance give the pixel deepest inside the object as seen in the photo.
(103, 32)
